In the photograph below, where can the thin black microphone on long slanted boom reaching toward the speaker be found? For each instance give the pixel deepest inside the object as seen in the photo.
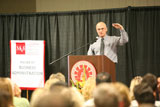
(72, 51)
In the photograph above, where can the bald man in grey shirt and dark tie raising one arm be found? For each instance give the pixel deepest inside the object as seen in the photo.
(107, 45)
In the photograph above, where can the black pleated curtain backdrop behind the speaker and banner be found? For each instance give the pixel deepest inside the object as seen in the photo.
(64, 32)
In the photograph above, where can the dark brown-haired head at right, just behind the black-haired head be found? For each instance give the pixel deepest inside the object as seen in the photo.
(151, 80)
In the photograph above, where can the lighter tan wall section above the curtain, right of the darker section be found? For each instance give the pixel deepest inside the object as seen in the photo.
(70, 5)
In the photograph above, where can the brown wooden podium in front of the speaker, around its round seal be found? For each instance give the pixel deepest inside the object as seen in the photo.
(100, 62)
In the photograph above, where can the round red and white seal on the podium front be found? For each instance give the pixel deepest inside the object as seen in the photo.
(81, 67)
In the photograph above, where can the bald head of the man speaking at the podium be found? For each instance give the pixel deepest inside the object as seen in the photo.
(101, 29)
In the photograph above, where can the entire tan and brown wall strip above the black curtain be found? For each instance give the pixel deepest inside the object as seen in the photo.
(20, 6)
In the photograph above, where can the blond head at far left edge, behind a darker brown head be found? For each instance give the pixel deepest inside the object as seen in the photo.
(5, 85)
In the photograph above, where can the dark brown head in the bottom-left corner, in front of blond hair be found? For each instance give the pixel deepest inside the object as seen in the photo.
(5, 99)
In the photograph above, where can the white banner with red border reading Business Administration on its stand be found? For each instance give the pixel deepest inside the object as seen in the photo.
(27, 64)
